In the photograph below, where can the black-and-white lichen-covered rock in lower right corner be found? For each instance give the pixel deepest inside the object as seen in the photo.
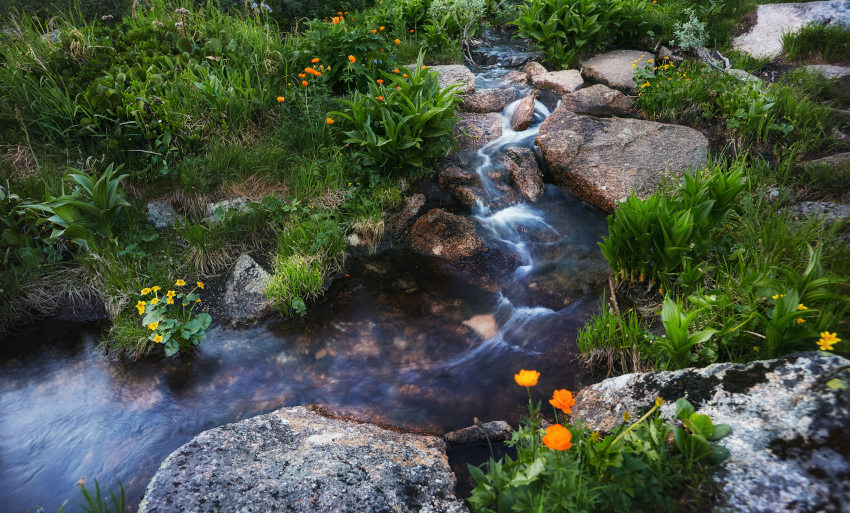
(788, 447)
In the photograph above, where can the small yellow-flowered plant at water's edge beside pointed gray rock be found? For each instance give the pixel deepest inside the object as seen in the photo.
(170, 316)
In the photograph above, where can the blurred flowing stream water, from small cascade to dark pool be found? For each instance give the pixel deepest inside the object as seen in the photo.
(392, 342)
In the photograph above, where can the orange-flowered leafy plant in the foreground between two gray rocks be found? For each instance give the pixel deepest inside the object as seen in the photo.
(639, 466)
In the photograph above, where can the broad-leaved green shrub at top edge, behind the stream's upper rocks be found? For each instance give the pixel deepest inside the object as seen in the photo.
(565, 30)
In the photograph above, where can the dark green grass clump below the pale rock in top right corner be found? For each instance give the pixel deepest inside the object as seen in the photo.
(818, 42)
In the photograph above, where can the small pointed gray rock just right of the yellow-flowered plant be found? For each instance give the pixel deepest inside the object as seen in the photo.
(244, 298)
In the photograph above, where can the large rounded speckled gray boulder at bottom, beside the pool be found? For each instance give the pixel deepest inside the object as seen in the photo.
(299, 461)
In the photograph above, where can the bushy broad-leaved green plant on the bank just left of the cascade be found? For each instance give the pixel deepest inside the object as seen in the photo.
(403, 122)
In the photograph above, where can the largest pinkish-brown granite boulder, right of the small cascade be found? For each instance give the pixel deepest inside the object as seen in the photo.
(604, 160)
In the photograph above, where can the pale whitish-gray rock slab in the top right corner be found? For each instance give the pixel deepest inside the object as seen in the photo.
(764, 40)
